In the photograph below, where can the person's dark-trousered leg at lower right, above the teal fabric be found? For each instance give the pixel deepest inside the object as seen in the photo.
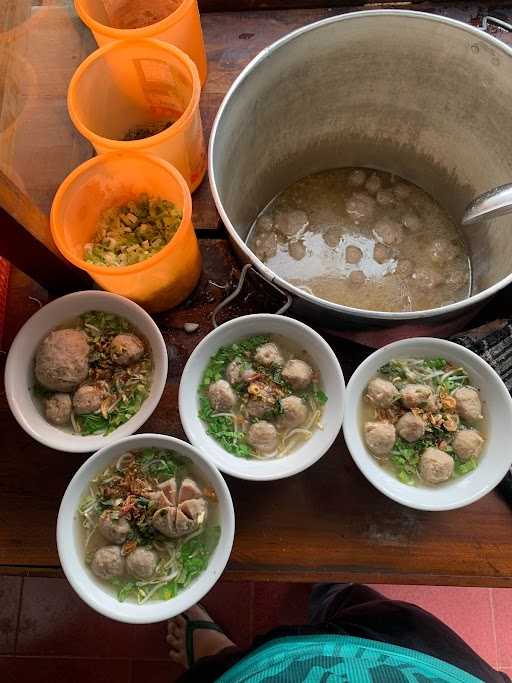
(360, 611)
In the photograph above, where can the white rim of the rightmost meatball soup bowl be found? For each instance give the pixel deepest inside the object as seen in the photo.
(349, 430)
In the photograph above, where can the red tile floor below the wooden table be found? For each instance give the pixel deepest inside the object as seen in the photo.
(48, 635)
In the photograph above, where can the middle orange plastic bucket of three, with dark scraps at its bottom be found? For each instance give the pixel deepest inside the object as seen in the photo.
(129, 84)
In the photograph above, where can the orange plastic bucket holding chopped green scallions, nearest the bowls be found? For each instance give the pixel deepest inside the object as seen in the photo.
(163, 280)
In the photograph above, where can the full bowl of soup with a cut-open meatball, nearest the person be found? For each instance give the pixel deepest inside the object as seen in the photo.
(145, 528)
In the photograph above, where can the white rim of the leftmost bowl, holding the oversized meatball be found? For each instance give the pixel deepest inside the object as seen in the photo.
(87, 444)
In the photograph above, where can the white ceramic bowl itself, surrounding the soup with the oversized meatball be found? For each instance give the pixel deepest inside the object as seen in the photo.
(19, 375)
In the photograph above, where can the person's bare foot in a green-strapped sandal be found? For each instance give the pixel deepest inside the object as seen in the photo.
(213, 652)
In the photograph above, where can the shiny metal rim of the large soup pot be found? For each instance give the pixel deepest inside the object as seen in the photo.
(249, 254)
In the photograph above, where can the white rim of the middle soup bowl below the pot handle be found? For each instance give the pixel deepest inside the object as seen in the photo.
(295, 466)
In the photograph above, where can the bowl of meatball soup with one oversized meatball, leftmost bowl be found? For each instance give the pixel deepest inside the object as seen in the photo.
(86, 369)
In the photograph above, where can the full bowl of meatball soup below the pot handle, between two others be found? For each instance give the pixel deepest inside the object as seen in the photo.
(262, 396)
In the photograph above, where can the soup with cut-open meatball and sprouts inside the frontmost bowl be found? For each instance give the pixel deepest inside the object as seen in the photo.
(149, 525)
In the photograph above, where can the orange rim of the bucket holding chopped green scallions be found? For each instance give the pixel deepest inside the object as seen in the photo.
(135, 267)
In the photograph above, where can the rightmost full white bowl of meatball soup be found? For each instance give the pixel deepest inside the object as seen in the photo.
(427, 423)
